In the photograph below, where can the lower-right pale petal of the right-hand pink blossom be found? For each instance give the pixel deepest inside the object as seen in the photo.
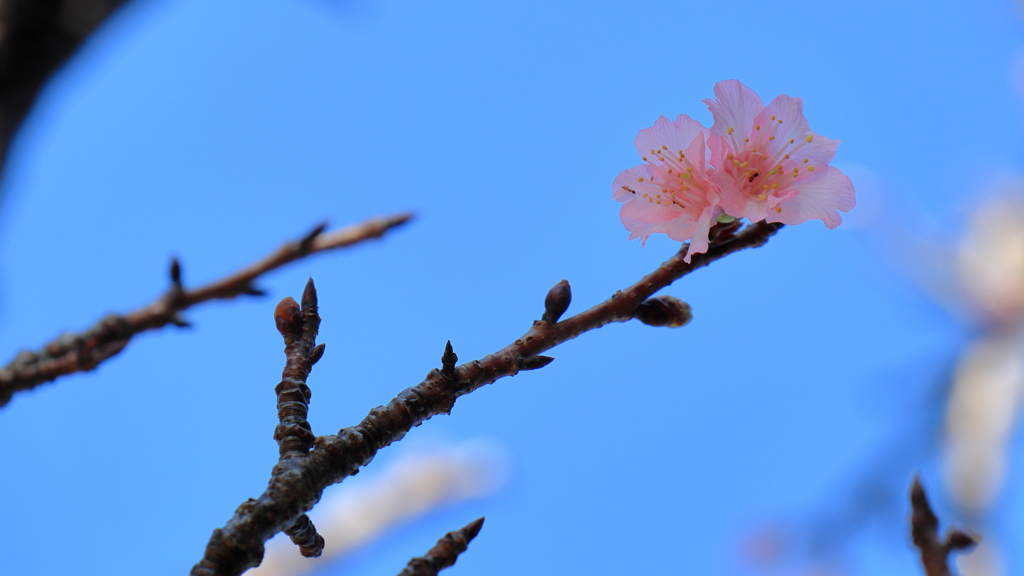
(819, 198)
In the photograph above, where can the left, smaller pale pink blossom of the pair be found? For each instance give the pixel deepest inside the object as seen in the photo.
(671, 192)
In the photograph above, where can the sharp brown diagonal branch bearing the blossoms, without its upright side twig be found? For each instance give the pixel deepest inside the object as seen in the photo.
(296, 483)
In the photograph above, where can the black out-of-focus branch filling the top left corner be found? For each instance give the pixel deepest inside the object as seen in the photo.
(36, 38)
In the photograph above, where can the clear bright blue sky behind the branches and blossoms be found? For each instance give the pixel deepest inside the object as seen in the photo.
(215, 132)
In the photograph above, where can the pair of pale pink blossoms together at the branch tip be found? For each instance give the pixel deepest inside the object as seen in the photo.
(757, 162)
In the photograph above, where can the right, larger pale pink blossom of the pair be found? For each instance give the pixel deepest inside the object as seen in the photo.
(770, 166)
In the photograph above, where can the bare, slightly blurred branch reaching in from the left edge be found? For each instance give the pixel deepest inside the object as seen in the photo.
(77, 353)
